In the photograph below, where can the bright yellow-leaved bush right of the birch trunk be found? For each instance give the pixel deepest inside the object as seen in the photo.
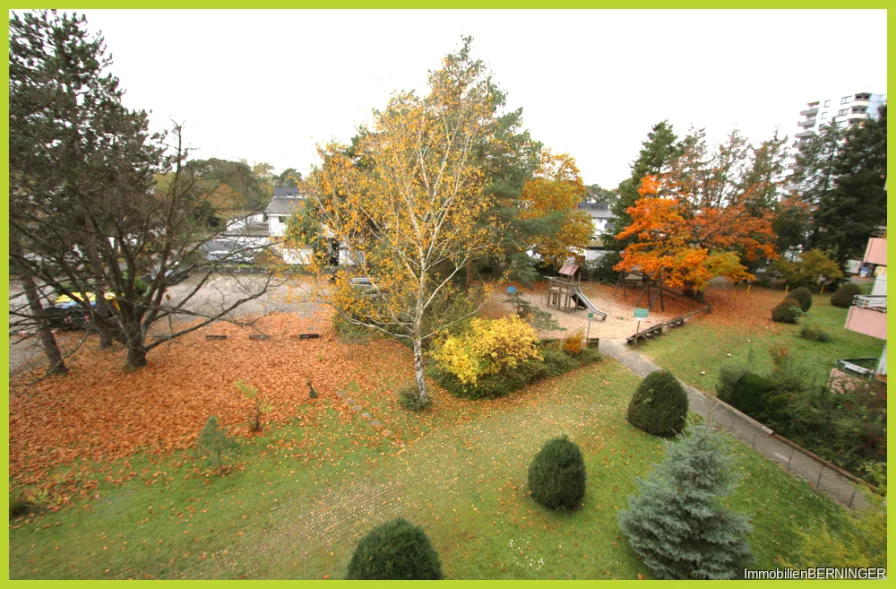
(489, 347)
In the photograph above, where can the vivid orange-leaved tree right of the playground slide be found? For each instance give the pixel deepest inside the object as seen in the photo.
(686, 239)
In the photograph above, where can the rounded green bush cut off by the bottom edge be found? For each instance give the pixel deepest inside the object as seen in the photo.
(395, 550)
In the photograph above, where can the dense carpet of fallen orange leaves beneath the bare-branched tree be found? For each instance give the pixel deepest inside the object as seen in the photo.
(101, 412)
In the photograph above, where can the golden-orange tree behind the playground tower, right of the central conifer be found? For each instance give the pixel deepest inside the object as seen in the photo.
(552, 195)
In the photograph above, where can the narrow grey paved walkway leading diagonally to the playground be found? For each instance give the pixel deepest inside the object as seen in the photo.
(834, 485)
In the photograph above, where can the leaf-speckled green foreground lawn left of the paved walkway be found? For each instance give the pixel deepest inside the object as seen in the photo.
(306, 490)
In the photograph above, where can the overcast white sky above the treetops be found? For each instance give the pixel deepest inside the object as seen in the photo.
(268, 85)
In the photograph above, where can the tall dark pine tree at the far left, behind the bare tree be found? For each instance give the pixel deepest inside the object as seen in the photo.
(69, 138)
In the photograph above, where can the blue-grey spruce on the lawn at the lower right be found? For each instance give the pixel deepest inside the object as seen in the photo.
(677, 525)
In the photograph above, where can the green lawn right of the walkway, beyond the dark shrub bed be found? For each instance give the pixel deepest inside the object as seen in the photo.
(706, 345)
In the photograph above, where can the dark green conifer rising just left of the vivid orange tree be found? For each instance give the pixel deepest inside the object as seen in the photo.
(659, 150)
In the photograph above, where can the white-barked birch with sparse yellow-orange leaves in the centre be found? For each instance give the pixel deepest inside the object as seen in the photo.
(406, 204)
